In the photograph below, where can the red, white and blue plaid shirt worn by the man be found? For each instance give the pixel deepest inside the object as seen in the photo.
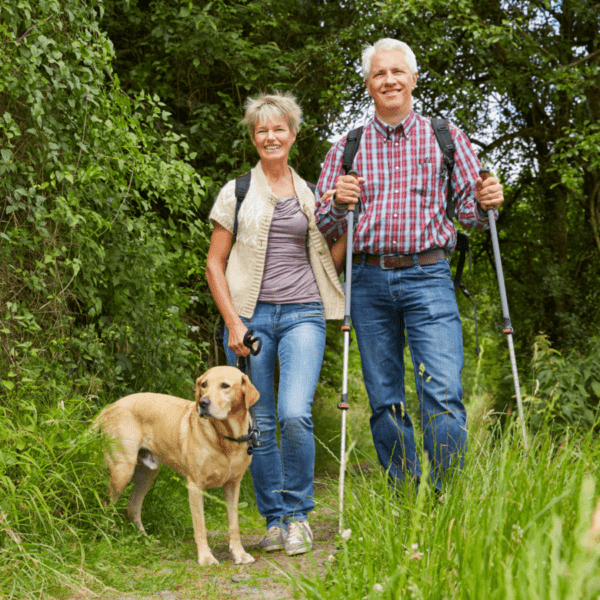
(403, 202)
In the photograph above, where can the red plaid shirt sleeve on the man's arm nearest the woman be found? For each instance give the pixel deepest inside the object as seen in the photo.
(330, 219)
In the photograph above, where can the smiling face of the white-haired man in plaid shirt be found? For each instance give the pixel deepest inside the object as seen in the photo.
(390, 84)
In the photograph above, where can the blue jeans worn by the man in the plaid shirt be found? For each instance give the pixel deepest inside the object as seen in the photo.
(420, 299)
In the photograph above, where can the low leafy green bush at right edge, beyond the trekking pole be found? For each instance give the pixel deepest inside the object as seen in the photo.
(567, 387)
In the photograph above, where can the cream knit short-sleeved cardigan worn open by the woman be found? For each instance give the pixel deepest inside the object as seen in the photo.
(246, 261)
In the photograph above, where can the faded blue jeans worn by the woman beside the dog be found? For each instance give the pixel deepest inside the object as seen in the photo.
(283, 478)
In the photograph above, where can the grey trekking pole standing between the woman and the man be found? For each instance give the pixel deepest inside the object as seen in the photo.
(346, 326)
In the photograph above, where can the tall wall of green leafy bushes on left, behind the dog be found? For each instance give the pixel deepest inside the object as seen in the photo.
(101, 239)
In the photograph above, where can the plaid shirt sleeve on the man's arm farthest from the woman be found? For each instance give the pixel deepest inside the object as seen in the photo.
(466, 171)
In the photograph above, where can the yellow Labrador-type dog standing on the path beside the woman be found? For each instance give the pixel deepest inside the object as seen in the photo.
(198, 440)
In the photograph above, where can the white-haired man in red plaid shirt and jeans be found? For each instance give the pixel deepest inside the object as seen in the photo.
(401, 278)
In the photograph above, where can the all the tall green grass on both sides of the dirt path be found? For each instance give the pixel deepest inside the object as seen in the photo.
(512, 525)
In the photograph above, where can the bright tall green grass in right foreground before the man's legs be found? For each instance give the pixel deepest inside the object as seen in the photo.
(512, 526)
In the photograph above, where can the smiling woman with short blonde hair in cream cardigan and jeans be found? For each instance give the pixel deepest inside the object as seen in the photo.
(277, 278)
